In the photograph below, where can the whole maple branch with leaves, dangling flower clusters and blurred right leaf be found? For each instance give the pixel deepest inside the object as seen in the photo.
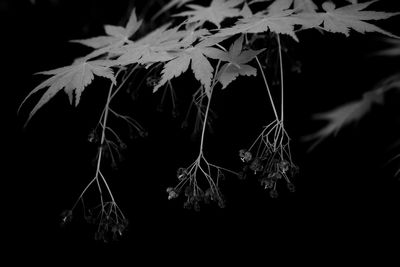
(196, 41)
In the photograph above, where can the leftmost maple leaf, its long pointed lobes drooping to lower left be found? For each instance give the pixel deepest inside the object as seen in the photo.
(72, 79)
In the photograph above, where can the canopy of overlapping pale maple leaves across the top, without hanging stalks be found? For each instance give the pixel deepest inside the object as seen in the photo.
(190, 43)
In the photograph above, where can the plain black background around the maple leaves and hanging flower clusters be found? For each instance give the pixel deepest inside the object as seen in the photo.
(345, 193)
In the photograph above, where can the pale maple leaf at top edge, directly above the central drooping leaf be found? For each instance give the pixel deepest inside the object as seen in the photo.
(215, 13)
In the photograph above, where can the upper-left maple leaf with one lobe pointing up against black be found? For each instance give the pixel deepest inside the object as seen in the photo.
(116, 35)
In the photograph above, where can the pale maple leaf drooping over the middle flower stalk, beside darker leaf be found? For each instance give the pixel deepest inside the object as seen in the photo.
(196, 57)
